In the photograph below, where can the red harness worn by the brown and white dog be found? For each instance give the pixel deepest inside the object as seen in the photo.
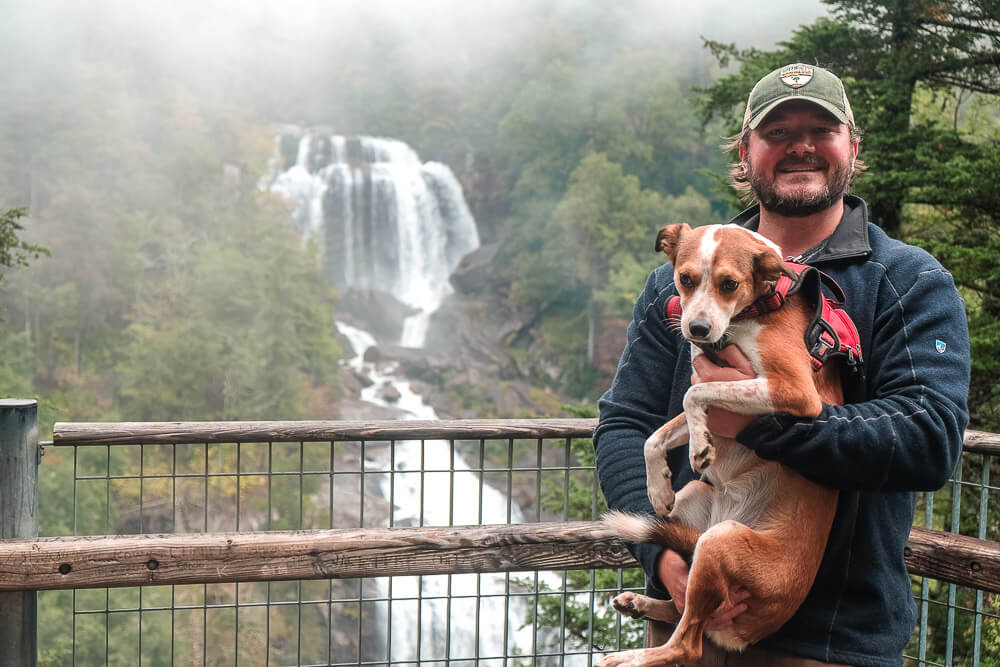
(831, 333)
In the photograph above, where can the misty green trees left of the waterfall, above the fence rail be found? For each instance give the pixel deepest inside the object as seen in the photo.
(171, 295)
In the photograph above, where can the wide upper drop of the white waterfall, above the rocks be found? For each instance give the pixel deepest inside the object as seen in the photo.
(382, 219)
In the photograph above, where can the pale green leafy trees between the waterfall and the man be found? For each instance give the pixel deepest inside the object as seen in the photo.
(592, 258)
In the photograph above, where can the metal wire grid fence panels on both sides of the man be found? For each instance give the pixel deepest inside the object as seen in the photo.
(957, 626)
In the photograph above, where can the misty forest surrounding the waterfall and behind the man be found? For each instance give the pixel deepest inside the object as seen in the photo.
(147, 276)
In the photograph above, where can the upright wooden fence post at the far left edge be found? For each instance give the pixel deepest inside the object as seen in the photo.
(18, 518)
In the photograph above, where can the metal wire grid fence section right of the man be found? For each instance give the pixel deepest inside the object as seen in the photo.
(958, 625)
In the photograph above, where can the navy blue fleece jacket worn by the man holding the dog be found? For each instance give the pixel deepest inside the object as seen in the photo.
(901, 432)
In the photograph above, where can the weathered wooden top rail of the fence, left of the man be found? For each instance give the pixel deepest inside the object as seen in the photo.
(144, 433)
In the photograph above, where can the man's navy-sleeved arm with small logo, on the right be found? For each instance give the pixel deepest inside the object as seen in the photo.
(909, 436)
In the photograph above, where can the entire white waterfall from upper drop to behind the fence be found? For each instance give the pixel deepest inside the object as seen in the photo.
(388, 222)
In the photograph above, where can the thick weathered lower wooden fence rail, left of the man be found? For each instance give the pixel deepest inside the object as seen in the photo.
(96, 562)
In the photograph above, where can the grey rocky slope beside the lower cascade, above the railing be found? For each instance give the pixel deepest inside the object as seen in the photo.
(483, 356)
